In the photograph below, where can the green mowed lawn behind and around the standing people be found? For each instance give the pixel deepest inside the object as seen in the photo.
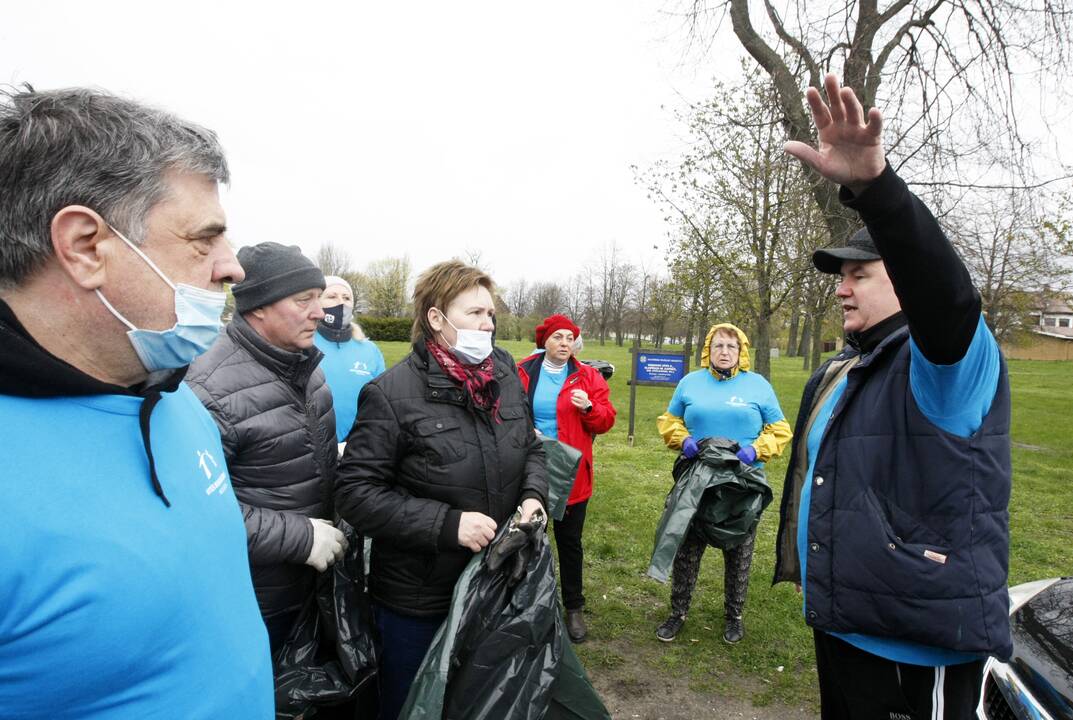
(775, 663)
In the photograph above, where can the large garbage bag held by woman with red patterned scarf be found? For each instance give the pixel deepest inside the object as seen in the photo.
(503, 654)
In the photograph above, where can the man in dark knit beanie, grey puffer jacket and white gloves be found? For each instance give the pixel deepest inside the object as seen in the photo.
(261, 384)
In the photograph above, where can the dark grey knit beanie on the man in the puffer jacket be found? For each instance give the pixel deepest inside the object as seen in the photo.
(273, 272)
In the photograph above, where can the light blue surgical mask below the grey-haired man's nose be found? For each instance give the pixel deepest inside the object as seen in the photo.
(197, 326)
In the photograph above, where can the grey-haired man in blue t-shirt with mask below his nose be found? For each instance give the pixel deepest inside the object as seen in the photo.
(125, 586)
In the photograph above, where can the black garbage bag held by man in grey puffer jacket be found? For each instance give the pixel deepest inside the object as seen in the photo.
(330, 655)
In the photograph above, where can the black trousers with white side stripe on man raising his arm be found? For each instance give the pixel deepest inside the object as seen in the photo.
(856, 685)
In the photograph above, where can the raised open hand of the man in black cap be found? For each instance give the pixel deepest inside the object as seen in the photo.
(850, 152)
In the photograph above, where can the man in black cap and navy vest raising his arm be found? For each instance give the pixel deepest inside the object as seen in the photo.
(894, 518)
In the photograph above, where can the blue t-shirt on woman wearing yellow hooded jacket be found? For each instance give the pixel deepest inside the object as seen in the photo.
(738, 408)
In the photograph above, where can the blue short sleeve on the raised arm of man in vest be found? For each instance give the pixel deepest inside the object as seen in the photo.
(958, 398)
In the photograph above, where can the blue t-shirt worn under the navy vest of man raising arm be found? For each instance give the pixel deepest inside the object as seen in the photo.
(956, 399)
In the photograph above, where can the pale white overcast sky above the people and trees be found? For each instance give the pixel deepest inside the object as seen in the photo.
(427, 129)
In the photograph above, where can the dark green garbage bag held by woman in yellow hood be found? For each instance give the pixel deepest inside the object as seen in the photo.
(723, 495)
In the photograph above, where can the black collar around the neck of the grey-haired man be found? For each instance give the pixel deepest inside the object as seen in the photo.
(30, 371)
